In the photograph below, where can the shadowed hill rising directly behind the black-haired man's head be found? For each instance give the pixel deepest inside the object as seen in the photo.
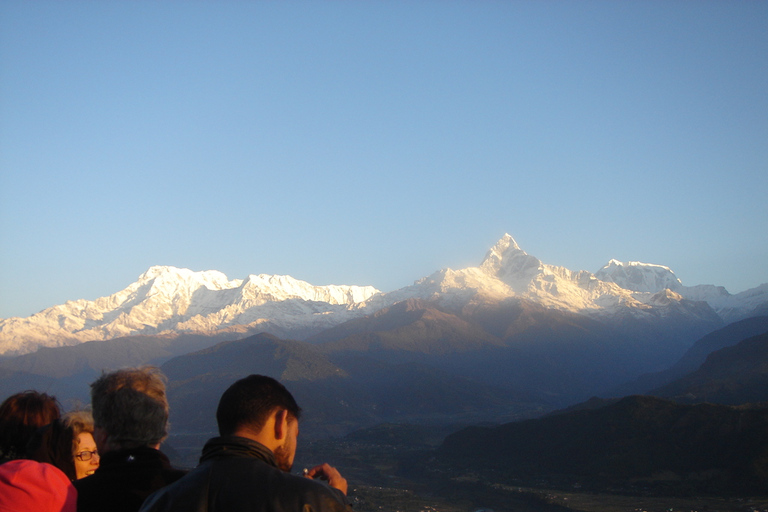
(336, 396)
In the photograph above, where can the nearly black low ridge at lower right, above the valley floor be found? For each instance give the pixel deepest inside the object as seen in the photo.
(634, 442)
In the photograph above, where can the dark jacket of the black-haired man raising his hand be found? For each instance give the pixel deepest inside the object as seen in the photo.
(237, 474)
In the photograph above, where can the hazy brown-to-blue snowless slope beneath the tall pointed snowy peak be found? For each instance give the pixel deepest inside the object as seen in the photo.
(555, 355)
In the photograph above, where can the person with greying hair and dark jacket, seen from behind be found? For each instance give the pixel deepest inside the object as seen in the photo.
(130, 417)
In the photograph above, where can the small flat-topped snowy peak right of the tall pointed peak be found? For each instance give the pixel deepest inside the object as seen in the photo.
(639, 277)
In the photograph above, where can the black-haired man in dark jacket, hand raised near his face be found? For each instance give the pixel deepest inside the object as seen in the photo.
(248, 467)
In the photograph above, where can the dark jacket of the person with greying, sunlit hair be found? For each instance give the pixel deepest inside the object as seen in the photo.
(124, 479)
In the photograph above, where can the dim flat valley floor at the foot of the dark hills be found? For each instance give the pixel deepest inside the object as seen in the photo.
(402, 477)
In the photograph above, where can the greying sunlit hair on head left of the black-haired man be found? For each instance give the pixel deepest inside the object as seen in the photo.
(130, 406)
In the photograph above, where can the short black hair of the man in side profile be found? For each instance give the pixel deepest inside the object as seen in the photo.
(249, 402)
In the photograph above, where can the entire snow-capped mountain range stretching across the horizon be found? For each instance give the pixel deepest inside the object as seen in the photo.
(169, 299)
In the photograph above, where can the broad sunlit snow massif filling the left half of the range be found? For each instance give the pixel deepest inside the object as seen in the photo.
(172, 299)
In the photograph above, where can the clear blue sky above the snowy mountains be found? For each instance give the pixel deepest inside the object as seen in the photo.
(376, 142)
